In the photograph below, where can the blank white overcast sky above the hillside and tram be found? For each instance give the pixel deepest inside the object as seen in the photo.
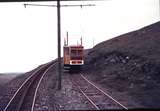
(28, 36)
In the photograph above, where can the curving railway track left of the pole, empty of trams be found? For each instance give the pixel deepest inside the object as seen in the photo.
(24, 98)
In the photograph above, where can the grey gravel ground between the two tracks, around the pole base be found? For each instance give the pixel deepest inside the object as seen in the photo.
(68, 98)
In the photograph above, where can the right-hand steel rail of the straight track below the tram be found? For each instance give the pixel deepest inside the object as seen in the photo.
(104, 92)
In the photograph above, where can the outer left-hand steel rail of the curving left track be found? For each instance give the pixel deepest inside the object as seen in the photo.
(34, 73)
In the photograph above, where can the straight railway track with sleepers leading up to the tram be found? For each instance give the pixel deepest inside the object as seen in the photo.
(98, 99)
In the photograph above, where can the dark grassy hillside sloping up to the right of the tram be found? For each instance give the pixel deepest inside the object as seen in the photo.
(129, 63)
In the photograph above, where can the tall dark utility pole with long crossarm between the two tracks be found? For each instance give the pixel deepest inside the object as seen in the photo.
(59, 32)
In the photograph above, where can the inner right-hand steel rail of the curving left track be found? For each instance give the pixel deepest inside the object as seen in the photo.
(35, 94)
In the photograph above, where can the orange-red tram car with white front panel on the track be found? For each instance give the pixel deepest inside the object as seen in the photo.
(73, 56)
